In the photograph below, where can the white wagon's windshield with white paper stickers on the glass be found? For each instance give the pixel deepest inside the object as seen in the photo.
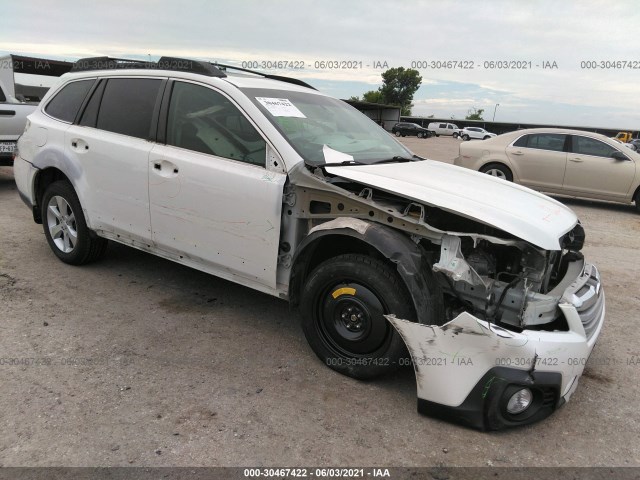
(311, 123)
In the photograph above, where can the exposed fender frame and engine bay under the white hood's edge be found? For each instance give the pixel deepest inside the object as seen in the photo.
(483, 270)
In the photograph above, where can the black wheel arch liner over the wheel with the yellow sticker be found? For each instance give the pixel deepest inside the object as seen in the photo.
(334, 238)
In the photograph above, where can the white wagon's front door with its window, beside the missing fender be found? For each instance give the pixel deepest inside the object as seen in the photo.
(212, 199)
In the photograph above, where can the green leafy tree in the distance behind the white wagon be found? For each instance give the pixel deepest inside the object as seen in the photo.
(398, 87)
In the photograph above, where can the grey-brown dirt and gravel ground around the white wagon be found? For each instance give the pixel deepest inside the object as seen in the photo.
(139, 361)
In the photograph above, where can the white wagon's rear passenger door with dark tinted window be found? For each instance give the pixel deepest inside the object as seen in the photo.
(112, 144)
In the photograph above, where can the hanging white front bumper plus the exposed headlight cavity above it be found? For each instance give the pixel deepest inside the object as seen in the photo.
(519, 332)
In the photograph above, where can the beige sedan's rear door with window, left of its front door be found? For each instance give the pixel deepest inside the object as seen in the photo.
(539, 160)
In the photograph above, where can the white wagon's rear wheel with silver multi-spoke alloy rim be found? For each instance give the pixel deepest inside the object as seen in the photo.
(65, 227)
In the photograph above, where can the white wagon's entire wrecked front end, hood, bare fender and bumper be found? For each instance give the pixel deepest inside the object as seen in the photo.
(519, 309)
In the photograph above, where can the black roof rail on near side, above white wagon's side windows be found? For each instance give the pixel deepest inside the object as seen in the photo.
(165, 63)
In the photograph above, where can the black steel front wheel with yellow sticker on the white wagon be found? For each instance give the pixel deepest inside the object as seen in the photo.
(342, 307)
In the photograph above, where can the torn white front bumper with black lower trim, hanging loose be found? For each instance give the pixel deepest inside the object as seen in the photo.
(467, 369)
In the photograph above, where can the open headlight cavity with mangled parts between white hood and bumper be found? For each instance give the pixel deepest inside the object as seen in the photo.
(510, 285)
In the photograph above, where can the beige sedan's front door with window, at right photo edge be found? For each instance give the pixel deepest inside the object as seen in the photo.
(592, 172)
